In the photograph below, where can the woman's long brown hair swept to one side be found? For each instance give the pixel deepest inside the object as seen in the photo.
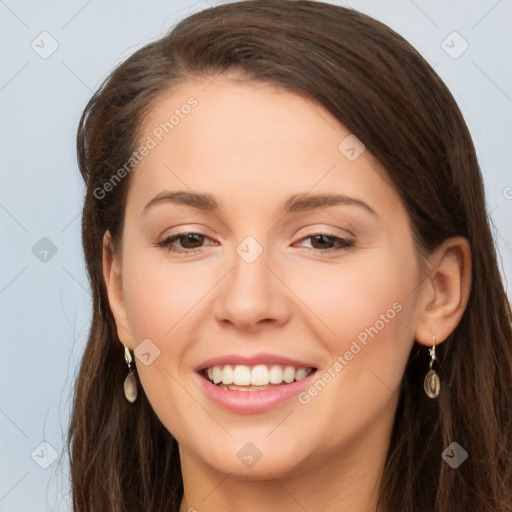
(369, 78)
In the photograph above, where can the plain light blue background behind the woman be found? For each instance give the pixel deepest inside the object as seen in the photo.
(45, 307)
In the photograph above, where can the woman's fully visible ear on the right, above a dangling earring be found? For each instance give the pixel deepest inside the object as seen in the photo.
(446, 290)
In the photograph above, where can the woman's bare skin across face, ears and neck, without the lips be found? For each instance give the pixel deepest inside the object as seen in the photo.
(253, 146)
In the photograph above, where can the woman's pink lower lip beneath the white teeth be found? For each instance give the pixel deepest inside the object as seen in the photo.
(250, 402)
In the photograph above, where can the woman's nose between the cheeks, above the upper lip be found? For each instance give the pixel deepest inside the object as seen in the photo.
(251, 296)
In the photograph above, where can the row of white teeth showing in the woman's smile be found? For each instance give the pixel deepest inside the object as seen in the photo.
(260, 376)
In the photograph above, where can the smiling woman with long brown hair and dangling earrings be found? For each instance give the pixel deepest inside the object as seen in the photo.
(297, 304)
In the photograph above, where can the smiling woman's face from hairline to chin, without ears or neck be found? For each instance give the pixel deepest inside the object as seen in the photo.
(262, 242)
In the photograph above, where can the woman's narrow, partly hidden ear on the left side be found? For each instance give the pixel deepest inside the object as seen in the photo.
(113, 282)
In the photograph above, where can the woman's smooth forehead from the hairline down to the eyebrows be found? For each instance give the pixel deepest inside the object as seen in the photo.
(251, 140)
